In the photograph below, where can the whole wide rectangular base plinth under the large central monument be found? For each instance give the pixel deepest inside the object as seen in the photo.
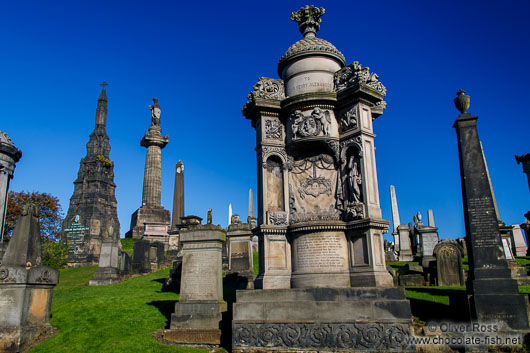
(338, 319)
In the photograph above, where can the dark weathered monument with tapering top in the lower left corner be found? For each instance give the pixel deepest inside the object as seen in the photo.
(26, 286)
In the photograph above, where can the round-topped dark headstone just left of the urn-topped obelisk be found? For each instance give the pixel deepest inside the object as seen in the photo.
(449, 270)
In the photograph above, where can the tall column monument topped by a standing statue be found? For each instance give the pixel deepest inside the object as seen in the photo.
(151, 221)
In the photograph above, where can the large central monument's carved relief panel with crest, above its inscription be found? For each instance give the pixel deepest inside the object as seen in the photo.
(313, 189)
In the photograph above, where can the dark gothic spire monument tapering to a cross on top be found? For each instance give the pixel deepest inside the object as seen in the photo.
(92, 215)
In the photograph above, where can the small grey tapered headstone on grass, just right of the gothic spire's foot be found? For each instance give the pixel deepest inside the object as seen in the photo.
(107, 271)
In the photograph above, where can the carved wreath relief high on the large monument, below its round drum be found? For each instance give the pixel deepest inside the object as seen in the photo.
(317, 123)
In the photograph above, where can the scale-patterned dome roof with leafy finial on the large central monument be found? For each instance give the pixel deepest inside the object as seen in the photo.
(308, 19)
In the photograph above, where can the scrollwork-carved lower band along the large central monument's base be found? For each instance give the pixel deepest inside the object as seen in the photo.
(343, 336)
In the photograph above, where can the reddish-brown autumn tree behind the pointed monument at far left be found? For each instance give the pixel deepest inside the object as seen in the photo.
(50, 213)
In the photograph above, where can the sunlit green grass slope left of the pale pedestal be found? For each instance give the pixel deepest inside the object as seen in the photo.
(115, 318)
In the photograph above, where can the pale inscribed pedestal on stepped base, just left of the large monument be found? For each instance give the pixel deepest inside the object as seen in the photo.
(198, 313)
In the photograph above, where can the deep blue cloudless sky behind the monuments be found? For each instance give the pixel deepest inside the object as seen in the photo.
(201, 59)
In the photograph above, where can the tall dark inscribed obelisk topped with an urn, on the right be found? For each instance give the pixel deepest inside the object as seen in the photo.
(494, 296)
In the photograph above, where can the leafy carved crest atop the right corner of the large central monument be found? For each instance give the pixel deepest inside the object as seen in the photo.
(356, 75)
